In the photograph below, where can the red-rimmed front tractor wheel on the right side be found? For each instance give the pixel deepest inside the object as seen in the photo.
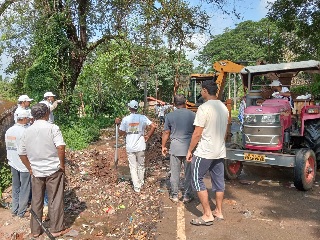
(304, 169)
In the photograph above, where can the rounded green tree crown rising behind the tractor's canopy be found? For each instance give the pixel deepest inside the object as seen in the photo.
(249, 41)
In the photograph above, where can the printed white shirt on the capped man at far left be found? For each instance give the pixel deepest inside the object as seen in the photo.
(12, 139)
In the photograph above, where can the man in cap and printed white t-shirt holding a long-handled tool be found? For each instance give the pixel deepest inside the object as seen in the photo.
(134, 126)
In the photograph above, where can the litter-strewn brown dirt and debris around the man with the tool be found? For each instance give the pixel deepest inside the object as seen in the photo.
(99, 199)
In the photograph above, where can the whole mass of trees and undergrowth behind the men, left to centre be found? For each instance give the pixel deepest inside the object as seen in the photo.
(96, 55)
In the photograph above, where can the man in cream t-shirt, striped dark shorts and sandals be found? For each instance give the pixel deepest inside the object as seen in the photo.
(209, 137)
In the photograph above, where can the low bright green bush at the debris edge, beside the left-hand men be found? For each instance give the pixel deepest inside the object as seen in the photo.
(80, 132)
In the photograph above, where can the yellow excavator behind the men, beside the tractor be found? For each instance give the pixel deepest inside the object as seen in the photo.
(222, 68)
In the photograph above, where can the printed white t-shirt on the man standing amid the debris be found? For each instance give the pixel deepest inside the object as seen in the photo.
(134, 125)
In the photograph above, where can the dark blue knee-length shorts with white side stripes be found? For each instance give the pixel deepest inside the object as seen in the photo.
(200, 166)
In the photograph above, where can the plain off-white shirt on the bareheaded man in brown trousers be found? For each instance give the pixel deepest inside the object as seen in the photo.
(39, 142)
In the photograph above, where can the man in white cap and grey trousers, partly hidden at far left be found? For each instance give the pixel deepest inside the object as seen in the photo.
(21, 179)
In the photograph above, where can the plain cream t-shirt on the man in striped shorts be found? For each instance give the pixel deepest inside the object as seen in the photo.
(213, 117)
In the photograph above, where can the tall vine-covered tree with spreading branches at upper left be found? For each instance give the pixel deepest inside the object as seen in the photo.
(82, 26)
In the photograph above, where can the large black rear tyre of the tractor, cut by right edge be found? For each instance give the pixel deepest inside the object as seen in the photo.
(312, 137)
